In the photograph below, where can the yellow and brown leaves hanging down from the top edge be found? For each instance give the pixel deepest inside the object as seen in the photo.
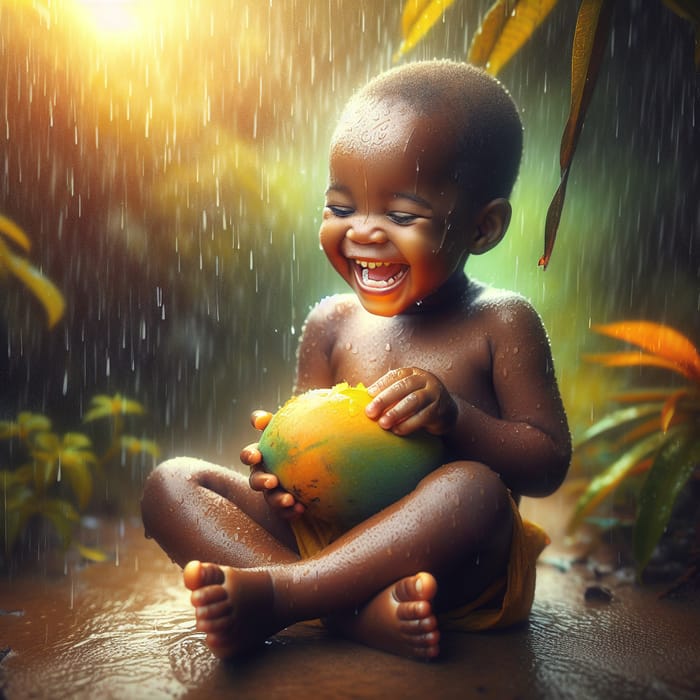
(506, 27)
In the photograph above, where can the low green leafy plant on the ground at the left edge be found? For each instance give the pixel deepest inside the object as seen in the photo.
(51, 476)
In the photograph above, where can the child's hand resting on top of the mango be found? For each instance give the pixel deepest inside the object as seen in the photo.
(408, 399)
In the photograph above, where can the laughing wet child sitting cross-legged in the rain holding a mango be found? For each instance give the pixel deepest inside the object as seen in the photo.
(421, 165)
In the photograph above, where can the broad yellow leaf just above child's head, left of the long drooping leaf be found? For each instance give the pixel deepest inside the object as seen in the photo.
(507, 26)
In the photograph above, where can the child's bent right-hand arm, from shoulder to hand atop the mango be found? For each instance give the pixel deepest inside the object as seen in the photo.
(528, 442)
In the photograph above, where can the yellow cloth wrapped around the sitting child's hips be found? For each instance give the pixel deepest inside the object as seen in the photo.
(505, 602)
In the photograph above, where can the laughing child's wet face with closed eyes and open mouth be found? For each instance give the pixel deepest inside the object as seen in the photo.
(390, 223)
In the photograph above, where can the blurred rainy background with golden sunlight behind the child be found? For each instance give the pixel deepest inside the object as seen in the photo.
(168, 162)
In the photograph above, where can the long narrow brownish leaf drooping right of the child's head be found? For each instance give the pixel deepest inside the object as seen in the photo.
(590, 38)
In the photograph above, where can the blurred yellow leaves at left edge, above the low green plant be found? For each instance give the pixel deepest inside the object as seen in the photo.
(41, 287)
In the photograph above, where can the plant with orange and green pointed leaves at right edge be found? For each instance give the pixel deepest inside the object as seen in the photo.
(655, 432)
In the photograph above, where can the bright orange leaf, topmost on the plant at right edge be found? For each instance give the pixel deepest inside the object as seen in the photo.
(658, 339)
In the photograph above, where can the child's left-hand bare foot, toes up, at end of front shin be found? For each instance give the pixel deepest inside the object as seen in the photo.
(232, 606)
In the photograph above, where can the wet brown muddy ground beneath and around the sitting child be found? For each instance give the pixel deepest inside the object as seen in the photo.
(124, 629)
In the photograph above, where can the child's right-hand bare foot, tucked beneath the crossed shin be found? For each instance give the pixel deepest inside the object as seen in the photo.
(400, 619)
